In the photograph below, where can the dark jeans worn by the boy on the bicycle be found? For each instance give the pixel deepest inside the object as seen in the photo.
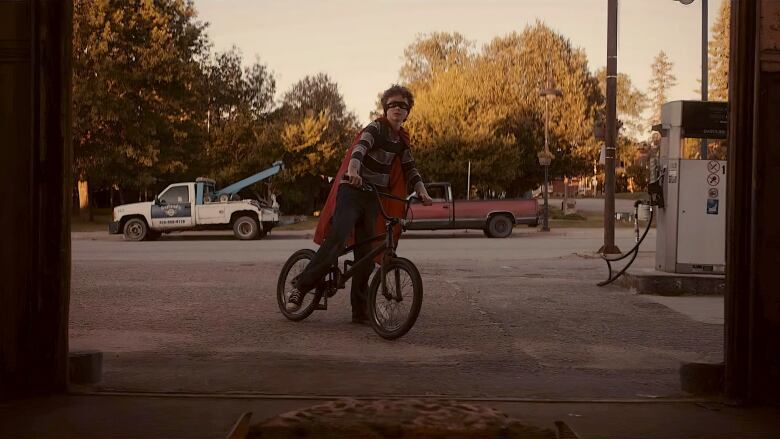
(356, 210)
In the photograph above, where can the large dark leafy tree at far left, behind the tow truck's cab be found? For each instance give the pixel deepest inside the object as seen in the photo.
(136, 74)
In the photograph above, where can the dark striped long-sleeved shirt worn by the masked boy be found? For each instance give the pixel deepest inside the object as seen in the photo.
(376, 150)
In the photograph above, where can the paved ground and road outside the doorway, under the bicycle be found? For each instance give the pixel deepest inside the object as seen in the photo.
(519, 317)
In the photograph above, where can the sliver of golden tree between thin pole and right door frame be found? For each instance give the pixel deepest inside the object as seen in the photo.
(718, 57)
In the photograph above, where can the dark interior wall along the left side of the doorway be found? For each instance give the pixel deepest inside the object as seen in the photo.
(35, 72)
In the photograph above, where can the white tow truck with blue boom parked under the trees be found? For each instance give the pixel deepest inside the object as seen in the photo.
(199, 206)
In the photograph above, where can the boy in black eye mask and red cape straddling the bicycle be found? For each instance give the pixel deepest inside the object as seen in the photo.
(380, 156)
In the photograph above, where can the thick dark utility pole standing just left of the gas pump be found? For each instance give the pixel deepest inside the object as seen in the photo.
(609, 246)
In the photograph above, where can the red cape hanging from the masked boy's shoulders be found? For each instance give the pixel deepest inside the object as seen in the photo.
(392, 207)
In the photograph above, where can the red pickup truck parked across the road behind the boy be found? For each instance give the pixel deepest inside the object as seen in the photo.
(495, 217)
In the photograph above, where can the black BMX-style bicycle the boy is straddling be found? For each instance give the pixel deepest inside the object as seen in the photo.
(386, 292)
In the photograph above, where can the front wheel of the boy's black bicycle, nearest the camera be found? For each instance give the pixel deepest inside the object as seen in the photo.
(394, 310)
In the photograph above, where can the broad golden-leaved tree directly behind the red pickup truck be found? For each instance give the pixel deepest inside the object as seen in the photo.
(488, 111)
